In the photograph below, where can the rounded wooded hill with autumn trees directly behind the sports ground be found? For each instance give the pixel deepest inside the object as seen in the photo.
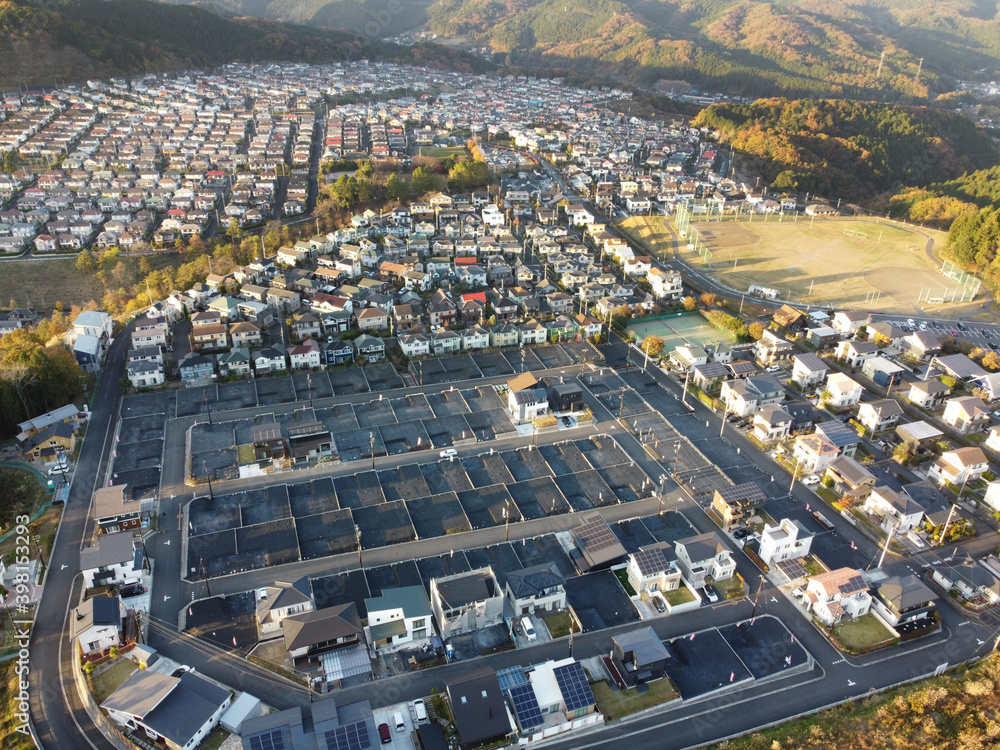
(847, 149)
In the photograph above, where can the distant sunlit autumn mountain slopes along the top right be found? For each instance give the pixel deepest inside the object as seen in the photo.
(796, 47)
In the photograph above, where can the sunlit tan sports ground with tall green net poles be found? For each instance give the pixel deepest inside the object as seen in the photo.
(865, 263)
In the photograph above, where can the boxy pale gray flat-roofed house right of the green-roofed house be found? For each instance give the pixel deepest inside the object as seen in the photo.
(464, 602)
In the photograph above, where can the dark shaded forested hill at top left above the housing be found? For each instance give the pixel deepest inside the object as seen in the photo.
(46, 43)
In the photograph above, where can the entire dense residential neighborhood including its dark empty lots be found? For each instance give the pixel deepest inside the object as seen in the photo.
(475, 468)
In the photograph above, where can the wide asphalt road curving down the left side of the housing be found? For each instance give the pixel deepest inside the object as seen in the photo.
(59, 719)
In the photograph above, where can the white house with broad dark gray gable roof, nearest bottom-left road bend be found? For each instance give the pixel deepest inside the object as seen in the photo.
(177, 711)
